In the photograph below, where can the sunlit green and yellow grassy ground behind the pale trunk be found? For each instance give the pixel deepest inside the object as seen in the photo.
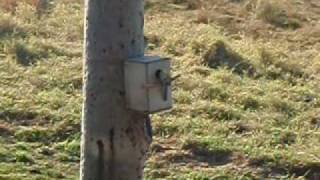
(247, 103)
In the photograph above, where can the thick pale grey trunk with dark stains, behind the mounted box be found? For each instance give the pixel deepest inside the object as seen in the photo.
(114, 139)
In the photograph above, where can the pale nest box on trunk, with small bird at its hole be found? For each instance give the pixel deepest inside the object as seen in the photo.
(148, 84)
